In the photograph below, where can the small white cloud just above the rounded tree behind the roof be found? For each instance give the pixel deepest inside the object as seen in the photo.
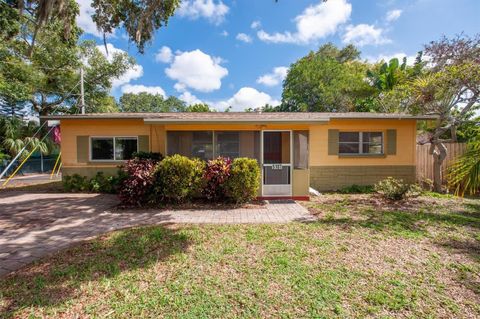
(364, 34)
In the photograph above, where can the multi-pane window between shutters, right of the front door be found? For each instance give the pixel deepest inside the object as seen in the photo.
(360, 143)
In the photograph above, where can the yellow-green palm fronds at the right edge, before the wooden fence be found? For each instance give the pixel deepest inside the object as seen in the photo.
(464, 174)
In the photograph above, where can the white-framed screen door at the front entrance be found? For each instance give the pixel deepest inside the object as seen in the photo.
(277, 158)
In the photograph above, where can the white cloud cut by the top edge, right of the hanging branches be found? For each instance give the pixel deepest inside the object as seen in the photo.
(213, 11)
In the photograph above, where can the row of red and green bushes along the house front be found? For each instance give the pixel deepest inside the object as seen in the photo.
(148, 180)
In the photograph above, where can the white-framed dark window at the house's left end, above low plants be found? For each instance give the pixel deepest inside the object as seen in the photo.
(113, 148)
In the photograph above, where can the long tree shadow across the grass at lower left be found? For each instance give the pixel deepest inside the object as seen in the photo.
(56, 280)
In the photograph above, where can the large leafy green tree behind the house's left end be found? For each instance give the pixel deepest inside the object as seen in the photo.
(48, 79)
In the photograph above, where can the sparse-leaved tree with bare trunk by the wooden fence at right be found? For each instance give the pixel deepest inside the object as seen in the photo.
(450, 91)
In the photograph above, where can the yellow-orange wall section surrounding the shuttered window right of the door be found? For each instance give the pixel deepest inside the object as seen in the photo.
(406, 135)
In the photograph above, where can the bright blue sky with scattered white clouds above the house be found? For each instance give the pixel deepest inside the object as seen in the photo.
(238, 52)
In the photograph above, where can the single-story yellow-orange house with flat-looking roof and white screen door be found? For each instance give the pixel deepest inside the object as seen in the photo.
(296, 151)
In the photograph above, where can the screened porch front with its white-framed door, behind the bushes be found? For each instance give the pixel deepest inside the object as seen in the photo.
(278, 152)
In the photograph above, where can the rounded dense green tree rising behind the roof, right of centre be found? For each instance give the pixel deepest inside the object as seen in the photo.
(329, 80)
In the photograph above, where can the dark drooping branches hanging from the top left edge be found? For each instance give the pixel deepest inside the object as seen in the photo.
(140, 19)
